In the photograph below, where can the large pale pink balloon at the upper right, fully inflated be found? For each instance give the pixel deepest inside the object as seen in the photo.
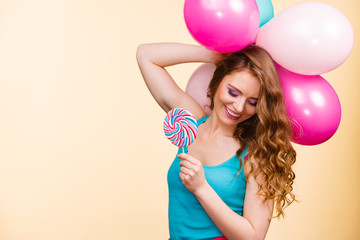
(308, 38)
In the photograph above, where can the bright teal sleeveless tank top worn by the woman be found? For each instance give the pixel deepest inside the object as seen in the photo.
(187, 218)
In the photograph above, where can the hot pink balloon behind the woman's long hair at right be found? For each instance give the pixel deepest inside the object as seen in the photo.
(312, 106)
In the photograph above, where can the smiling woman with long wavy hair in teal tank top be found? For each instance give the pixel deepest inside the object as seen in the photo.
(238, 169)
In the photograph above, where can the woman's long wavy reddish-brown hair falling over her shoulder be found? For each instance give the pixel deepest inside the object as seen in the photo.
(267, 134)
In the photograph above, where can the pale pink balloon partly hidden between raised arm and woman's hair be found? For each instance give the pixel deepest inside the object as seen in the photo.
(198, 85)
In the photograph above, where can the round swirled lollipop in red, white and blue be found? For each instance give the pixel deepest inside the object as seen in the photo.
(180, 127)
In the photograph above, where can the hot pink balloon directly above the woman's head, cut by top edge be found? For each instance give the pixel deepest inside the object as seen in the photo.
(222, 25)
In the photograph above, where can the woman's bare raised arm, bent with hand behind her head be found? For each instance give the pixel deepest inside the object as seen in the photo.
(152, 60)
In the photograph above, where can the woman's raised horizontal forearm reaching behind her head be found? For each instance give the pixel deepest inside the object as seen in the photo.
(167, 54)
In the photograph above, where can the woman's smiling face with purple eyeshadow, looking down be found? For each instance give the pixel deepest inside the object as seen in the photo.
(236, 97)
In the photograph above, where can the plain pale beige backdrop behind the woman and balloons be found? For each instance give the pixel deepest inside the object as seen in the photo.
(82, 152)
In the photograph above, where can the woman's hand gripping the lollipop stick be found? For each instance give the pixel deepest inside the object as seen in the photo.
(192, 173)
